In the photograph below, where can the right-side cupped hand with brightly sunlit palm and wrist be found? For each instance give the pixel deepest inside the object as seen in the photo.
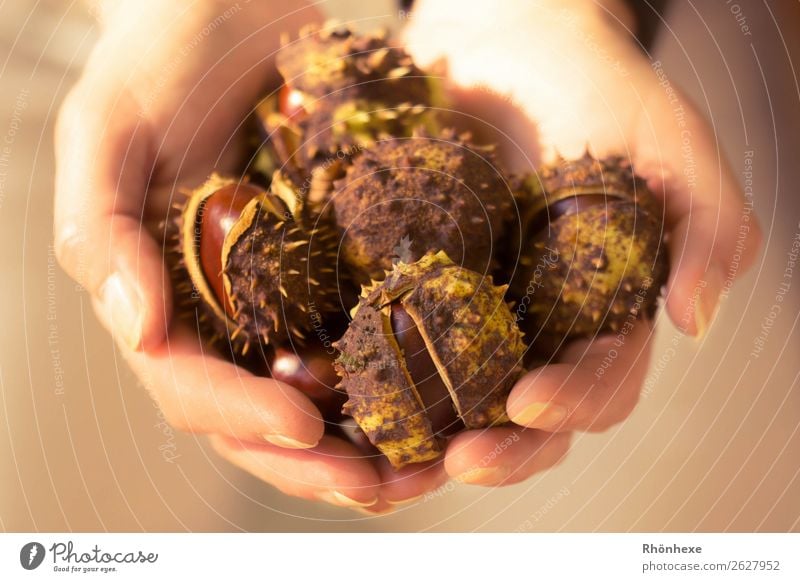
(556, 76)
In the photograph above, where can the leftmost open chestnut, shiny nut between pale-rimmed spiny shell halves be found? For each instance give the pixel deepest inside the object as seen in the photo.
(258, 271)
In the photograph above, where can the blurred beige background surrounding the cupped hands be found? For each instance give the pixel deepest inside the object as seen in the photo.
(714, 445)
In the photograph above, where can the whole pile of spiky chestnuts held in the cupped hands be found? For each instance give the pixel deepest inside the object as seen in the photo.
(371, 190)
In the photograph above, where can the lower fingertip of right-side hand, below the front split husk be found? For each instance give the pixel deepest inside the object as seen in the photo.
(503, 455)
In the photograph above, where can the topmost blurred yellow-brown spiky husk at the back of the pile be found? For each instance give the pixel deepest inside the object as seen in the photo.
(342, 93)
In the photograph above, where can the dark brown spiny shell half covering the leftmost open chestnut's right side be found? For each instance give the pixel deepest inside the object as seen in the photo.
(278, 274)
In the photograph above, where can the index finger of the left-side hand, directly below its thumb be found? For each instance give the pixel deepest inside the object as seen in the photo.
(199, 392)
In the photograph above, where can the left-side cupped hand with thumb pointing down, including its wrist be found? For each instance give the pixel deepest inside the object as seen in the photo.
(159, 106)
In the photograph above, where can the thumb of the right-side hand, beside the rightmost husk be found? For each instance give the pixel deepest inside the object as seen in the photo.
(714, 234)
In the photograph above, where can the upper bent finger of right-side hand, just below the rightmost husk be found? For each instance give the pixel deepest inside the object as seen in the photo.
(594, 386)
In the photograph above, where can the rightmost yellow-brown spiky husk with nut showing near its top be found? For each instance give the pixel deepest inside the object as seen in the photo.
(593, 256)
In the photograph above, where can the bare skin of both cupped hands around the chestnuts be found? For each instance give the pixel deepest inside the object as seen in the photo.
(149, 117)
